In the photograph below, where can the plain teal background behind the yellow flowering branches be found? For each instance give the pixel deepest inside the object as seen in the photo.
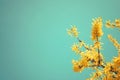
(34, 44)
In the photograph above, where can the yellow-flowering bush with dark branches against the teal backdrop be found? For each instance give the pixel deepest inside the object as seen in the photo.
(92, 57)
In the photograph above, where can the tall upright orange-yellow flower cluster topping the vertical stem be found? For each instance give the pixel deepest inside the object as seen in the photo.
(97, 28)
